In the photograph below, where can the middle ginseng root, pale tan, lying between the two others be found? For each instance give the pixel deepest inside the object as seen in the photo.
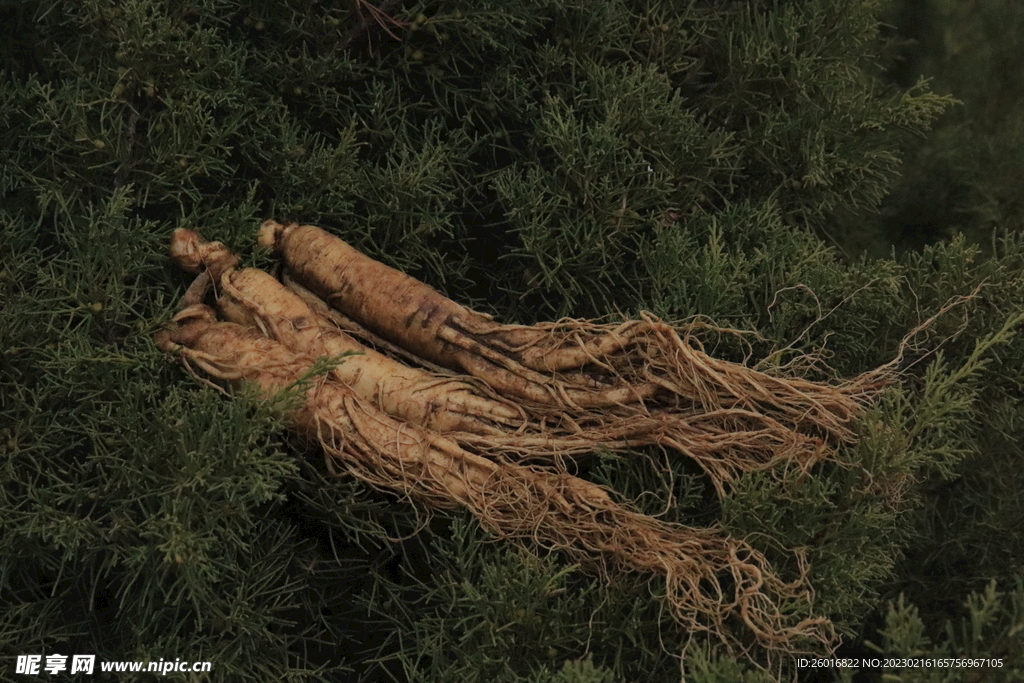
(726, 444)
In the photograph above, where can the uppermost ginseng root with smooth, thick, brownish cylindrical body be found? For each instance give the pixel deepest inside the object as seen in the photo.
(573, 365)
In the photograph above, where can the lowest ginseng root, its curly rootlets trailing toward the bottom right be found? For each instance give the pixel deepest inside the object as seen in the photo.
(554, 510)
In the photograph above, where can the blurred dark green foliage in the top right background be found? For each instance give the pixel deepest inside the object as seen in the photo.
(967, 178)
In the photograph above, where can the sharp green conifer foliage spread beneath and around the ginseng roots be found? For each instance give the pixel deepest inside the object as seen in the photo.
(537, 159)
